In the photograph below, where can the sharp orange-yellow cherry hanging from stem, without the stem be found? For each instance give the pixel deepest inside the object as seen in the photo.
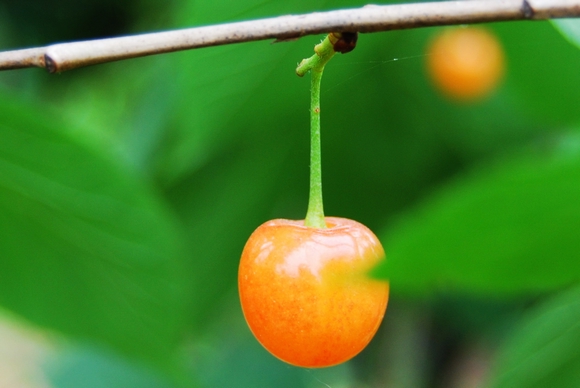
(306, 294)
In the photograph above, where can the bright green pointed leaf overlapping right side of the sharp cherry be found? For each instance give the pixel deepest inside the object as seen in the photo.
(511, 227)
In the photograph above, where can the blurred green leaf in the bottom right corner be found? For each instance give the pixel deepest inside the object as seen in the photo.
(544, 349)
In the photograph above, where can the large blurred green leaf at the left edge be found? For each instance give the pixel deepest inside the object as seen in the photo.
(87, 248)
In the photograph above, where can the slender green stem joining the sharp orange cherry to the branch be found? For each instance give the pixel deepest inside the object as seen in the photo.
(324, 51)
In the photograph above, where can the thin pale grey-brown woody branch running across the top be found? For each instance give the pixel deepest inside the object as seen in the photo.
(370, 18)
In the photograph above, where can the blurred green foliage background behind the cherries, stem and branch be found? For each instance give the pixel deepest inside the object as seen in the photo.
(127, 191)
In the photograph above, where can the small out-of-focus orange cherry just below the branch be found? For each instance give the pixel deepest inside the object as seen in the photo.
(466, 63)
